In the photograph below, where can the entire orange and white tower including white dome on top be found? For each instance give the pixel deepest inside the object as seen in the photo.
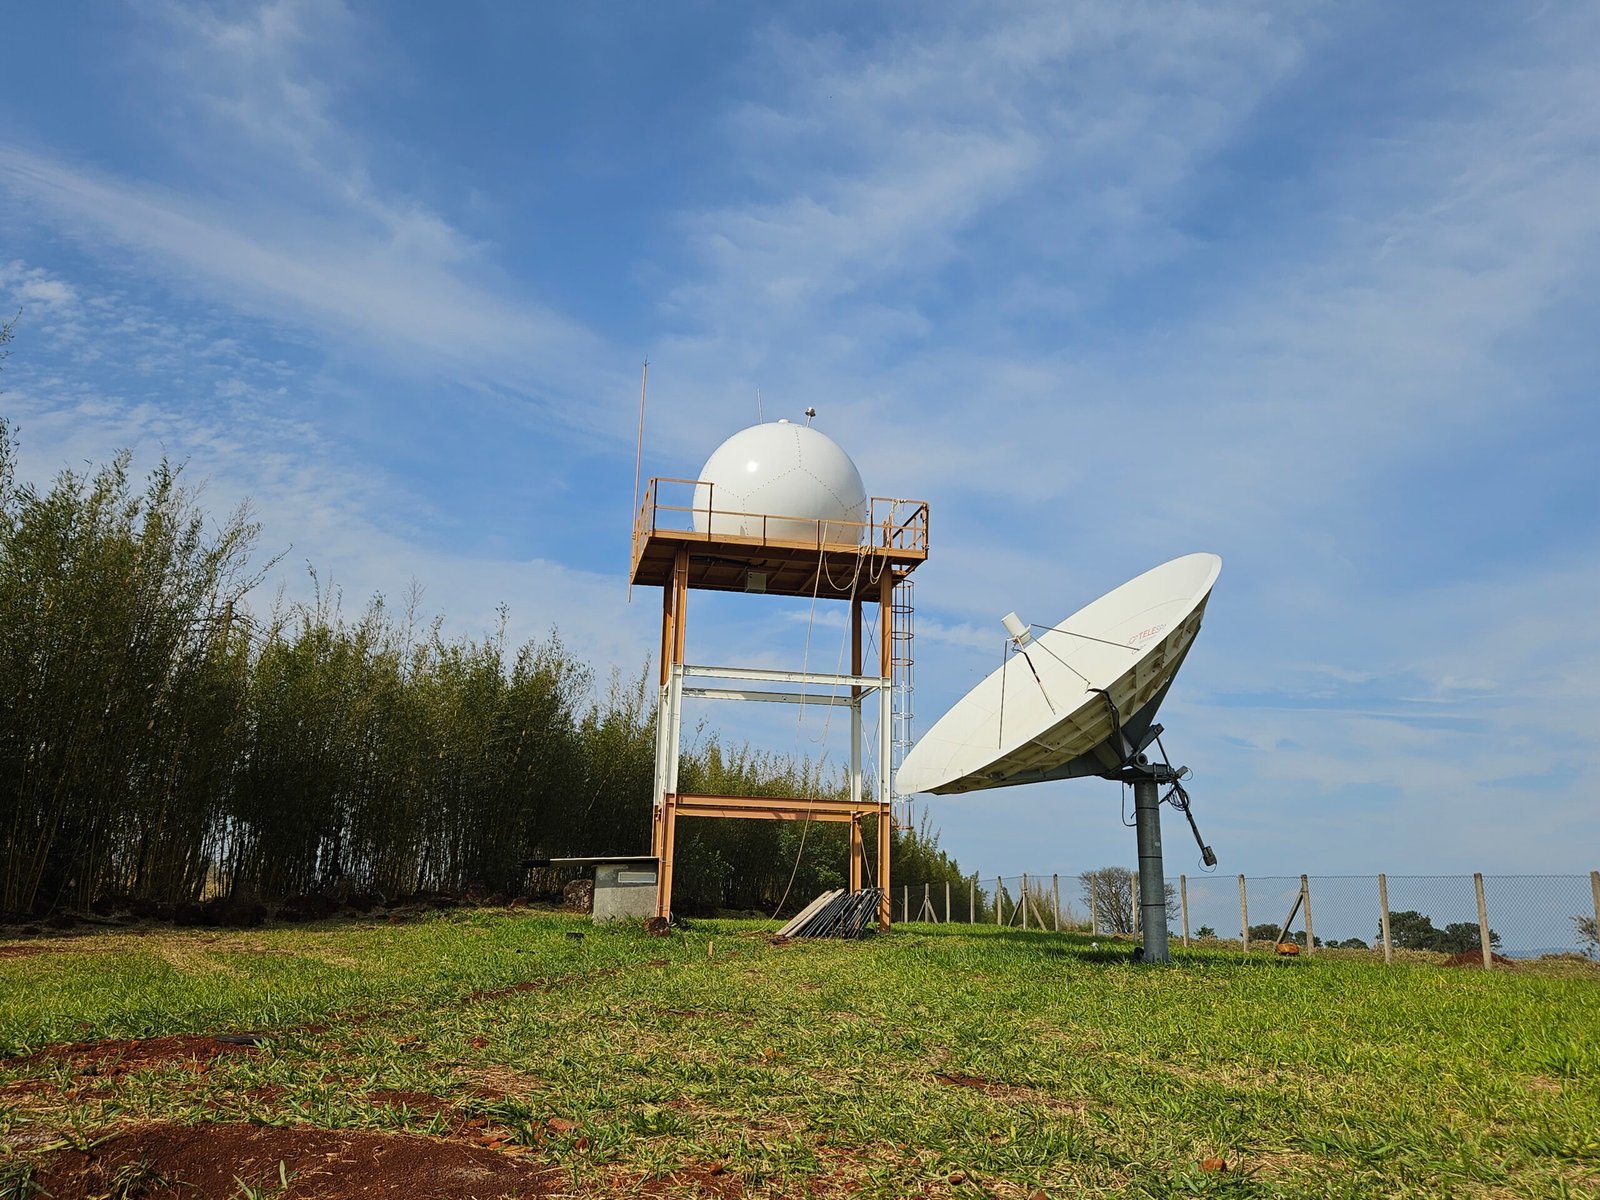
(778, 511)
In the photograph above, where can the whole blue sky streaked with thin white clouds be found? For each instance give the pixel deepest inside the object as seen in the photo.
(1311, 287)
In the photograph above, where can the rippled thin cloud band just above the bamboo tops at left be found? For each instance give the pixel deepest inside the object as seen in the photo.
(242, 442)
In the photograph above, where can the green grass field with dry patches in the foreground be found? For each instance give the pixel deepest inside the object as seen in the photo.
(934, 1062)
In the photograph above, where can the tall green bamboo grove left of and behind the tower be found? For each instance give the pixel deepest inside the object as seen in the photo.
(158, 742)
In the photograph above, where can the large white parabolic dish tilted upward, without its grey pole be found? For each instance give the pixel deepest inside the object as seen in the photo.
(1079, 700)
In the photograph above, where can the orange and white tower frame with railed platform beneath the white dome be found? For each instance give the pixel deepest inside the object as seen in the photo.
(857, 562)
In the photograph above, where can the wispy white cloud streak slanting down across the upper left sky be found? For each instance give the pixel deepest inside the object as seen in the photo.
(332, 255)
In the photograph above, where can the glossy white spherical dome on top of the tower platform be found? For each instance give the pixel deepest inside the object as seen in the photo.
(780, 470)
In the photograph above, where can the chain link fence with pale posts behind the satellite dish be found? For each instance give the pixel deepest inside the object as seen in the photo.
(1391, 916)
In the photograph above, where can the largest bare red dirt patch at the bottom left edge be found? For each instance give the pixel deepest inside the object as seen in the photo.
(198, 1162)
